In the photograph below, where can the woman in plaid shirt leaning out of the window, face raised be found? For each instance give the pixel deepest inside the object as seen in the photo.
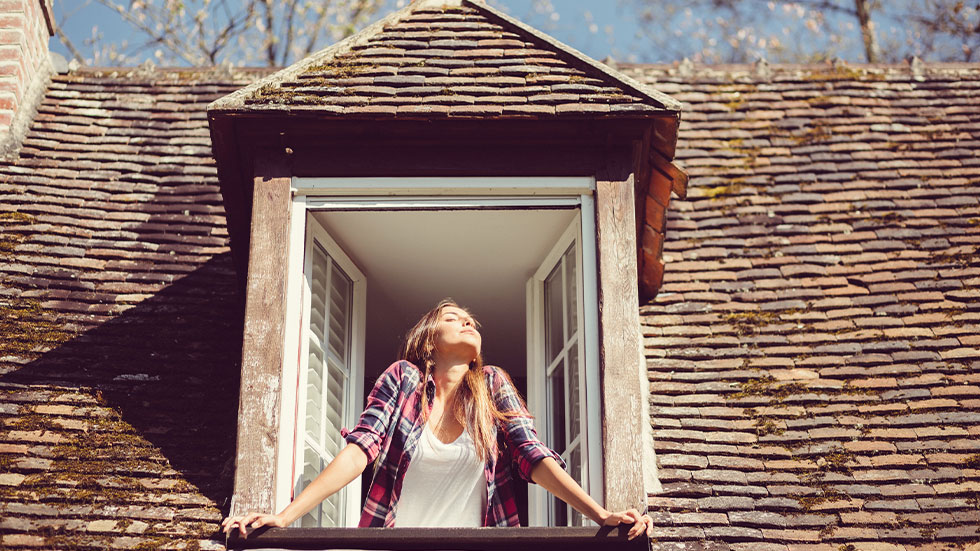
(443, 430)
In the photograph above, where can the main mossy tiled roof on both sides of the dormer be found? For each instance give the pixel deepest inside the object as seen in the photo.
(813, 353)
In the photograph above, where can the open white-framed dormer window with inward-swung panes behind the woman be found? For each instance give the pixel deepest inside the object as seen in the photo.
(364, 267)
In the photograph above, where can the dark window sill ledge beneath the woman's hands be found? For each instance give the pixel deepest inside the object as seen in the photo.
(462, 539)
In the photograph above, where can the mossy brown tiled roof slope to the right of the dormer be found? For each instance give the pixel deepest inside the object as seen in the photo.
(813, 354)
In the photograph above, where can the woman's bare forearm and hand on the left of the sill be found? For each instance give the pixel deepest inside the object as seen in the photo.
(348, 465)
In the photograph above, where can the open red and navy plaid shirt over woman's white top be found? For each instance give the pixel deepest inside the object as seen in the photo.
(389, 430)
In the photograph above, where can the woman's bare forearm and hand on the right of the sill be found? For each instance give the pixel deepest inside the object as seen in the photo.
(550, 476)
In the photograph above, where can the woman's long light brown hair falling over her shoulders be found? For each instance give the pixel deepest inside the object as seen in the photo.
(471, 405)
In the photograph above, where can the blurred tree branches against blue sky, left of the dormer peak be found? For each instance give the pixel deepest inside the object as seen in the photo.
(211, 32)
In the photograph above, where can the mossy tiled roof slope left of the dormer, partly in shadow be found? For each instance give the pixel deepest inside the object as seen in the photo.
(119, 318)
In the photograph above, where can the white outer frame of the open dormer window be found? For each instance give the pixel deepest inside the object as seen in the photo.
(311, 194)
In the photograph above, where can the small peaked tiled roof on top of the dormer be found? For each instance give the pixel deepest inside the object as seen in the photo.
(449, 59)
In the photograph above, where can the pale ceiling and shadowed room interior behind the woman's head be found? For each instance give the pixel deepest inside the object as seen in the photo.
(413, 259)
